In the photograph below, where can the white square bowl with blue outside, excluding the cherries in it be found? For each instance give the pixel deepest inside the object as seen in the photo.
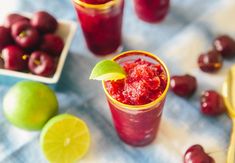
(66, 30)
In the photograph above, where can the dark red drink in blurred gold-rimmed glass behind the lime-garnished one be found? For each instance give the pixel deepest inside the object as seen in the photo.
(102, 28)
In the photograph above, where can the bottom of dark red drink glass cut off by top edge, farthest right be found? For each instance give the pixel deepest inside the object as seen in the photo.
(151, 11)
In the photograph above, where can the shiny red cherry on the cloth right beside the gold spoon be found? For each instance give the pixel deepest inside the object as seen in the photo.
(212, 103)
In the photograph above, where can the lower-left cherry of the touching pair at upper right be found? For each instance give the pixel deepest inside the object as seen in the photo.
(210, 62)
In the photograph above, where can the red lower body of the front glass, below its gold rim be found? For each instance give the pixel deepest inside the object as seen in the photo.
(137, 128)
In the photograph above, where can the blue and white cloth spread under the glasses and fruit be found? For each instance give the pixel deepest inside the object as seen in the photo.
(188, 30)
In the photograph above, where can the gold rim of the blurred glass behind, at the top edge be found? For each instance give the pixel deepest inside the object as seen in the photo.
(97, 6)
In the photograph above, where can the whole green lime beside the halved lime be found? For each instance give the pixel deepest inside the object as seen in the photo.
(29, 105)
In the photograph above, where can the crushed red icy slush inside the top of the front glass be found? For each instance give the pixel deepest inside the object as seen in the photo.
(144, 83)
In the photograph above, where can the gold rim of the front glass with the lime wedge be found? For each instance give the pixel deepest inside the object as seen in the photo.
(148, 105)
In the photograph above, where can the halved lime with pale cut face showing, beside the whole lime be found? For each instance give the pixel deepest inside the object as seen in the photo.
(65, 139)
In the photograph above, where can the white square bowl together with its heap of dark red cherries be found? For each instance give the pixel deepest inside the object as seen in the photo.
(34, 47)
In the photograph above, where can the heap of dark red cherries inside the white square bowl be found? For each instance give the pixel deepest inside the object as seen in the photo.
(30, 45)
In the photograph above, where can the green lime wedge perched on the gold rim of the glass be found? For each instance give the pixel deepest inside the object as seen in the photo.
(107, 70)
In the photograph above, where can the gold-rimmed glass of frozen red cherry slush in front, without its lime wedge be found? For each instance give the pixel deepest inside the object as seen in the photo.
(136, 102)
